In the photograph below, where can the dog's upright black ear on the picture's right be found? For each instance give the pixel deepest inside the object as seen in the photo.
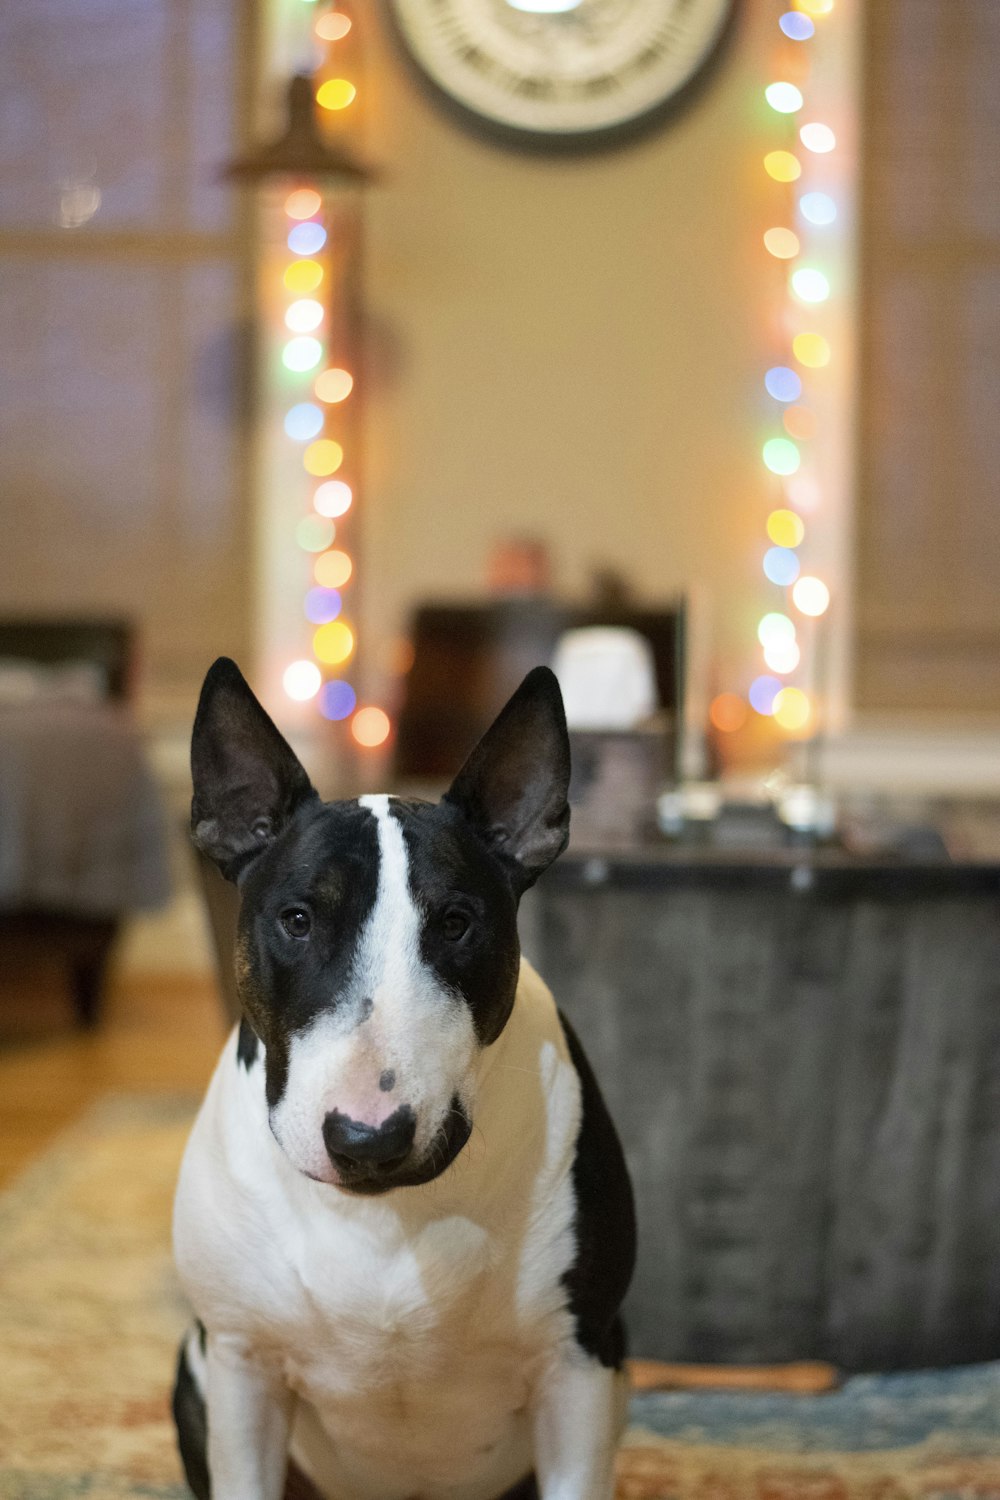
(513, 788)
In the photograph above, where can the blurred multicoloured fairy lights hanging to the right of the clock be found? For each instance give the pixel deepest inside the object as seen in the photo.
(783, 638)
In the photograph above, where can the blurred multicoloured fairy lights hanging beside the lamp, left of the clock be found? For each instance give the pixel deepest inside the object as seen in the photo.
(313, 422)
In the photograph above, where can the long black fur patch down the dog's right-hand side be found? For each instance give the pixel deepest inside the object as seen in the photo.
(605, 1223)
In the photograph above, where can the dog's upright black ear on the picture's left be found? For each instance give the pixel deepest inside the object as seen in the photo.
(248, 779)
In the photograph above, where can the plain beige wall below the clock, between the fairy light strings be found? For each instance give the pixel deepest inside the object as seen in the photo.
(569, 347)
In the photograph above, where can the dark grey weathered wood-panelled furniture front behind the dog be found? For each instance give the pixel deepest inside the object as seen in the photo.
(801, 1049)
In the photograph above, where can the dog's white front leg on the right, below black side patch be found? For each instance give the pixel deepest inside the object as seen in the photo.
(578, 1420)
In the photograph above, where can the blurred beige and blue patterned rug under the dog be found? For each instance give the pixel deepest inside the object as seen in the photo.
(91, 1316)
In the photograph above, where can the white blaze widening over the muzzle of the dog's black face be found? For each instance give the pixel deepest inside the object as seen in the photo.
(395, 1039)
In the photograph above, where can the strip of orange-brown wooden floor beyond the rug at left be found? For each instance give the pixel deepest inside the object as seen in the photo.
(157, 1034)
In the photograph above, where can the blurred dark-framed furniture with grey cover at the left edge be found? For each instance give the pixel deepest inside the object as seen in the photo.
(82, 833)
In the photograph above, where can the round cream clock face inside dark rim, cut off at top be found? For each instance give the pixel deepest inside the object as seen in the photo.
(563, 70)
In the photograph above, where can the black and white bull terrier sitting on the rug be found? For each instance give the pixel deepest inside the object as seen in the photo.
(404, 1216)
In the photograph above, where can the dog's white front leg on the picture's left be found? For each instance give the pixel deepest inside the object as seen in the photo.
(250, 1421)
